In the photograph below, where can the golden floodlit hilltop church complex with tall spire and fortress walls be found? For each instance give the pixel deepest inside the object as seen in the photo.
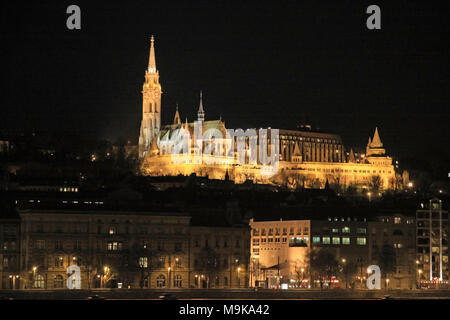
(299, 158)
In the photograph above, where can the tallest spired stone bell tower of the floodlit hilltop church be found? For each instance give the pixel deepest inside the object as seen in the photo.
(151, 104)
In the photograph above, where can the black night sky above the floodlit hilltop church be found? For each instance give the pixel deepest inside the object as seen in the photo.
(258, 63)
